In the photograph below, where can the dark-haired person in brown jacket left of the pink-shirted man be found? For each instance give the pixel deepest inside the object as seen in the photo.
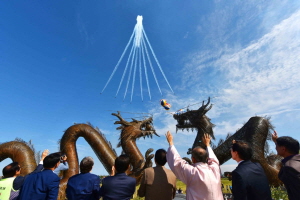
(158, 182)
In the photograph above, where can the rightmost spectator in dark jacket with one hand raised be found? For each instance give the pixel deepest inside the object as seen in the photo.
(289, 173)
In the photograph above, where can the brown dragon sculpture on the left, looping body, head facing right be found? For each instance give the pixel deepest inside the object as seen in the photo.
(130, 131)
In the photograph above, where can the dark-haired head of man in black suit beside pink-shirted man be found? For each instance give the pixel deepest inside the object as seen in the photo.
(241, 150)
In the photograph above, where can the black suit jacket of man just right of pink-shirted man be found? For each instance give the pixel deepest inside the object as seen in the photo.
(249, 182)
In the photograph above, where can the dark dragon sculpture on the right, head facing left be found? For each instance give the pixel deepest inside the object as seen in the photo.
(255, 132)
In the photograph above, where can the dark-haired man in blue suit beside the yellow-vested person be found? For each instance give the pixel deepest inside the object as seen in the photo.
(44, 184)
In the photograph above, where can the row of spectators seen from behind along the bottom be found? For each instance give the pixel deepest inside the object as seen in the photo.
(202, 178)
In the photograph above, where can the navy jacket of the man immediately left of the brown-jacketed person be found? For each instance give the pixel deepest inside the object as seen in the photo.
(118, 187)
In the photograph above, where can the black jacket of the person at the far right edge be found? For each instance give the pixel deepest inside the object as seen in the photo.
(289, 174)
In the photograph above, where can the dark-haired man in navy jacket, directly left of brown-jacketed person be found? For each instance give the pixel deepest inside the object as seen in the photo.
(119, 186)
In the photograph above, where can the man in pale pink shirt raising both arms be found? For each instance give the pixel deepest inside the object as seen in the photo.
(203, 178)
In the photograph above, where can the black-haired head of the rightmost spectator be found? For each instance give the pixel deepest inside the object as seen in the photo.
(291, 145)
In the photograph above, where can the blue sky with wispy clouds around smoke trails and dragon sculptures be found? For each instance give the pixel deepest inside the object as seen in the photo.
(56, 57)
